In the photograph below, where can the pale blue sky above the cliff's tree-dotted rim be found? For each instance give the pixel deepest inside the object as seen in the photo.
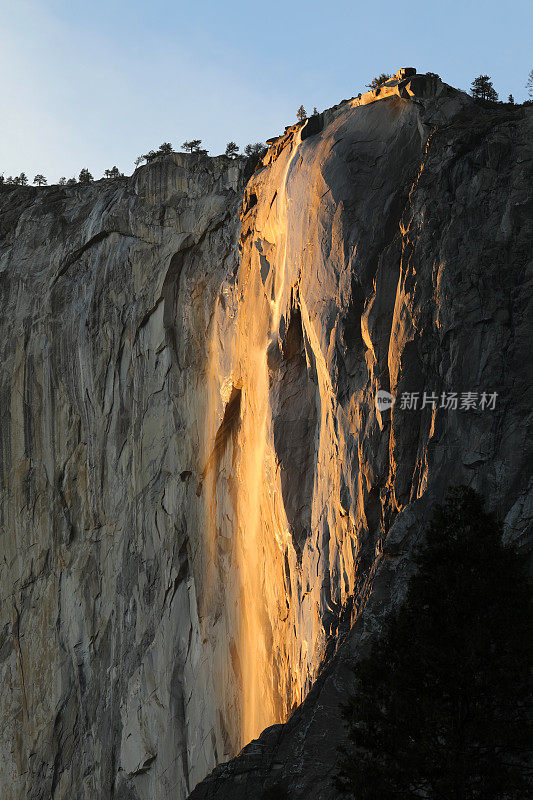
(93, 84)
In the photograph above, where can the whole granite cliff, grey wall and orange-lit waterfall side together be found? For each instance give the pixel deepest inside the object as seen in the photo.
(205, 518)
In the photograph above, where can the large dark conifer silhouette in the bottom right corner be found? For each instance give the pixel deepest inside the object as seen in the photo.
(443, 704)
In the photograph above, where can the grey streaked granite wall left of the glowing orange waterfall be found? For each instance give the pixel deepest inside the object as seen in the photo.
(107, 293)
